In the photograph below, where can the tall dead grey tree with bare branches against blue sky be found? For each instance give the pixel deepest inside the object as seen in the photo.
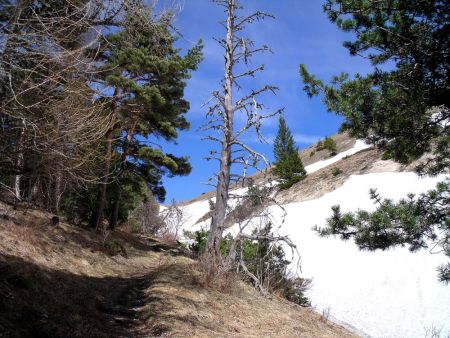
(223, 109)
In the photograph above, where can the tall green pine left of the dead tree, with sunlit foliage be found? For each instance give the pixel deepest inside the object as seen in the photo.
(148, 77)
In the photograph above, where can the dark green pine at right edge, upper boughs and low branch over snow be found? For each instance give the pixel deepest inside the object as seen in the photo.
(404, 110)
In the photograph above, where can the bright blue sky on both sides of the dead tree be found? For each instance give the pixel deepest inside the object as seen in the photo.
(301, 33)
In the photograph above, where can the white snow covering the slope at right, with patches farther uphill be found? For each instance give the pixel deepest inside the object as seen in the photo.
(393, 293)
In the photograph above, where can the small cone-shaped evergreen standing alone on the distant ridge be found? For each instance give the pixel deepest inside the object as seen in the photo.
(288, 166)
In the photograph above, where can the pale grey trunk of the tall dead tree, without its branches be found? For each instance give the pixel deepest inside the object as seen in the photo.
(218, 218)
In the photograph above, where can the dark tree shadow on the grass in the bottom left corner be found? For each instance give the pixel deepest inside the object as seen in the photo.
(38, 302)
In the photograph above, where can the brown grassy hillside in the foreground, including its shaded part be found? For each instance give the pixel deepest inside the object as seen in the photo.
(62, 281)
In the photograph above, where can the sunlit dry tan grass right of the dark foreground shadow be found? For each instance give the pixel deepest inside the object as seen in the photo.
(193, 311)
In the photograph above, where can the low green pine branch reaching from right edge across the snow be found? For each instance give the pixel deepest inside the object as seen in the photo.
(416, 221)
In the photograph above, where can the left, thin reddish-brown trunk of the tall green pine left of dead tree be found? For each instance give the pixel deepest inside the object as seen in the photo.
(97, 215)
